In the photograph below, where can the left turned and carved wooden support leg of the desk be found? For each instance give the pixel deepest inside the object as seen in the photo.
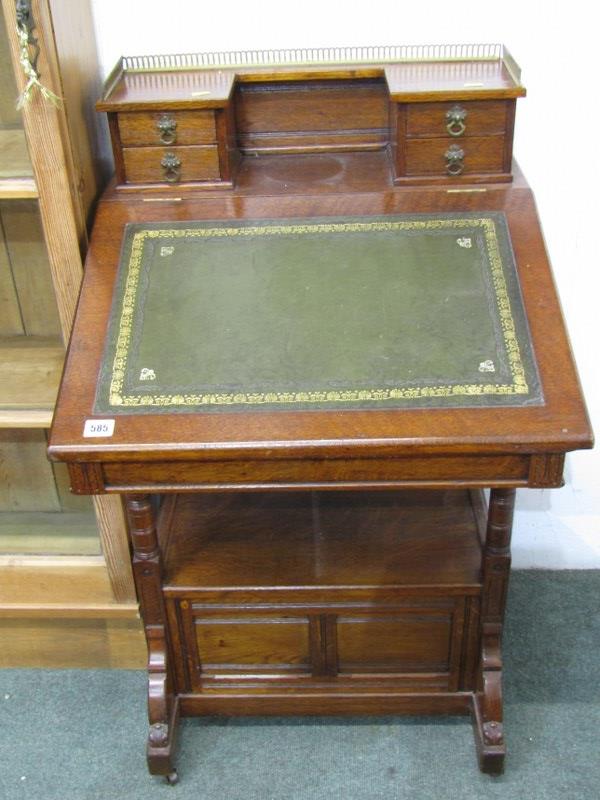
(147, 570)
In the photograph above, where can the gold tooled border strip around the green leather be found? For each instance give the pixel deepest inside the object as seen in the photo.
(518, 385)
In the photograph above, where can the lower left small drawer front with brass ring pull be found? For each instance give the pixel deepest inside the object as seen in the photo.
(171, 164)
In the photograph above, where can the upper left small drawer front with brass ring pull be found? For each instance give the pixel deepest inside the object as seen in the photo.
(167, 128)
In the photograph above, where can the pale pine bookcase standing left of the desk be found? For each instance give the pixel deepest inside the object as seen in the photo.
(64, 564)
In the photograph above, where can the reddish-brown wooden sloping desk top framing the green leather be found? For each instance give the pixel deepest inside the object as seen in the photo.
(481, 446)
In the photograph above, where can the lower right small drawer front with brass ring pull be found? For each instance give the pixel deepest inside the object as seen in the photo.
(480, 155)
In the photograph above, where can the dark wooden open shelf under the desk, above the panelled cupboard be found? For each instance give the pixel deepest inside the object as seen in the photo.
(303, 539)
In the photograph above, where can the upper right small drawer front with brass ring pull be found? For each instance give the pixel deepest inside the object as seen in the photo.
(483, 118)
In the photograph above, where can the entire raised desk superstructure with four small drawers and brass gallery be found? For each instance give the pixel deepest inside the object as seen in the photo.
(445, 114)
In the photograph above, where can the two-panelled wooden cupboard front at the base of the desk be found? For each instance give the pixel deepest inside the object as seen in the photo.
(413, 642)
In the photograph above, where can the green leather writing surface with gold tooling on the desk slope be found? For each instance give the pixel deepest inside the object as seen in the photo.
(420, 310)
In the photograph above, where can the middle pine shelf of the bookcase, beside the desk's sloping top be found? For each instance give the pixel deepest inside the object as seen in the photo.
(34, 365)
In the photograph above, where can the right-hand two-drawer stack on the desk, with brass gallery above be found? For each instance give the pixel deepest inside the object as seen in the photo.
(453, 121)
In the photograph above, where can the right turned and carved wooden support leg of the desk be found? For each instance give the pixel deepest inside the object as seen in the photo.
(487, 701)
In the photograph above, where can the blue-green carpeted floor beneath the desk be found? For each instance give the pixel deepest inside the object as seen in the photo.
(78, 735)
